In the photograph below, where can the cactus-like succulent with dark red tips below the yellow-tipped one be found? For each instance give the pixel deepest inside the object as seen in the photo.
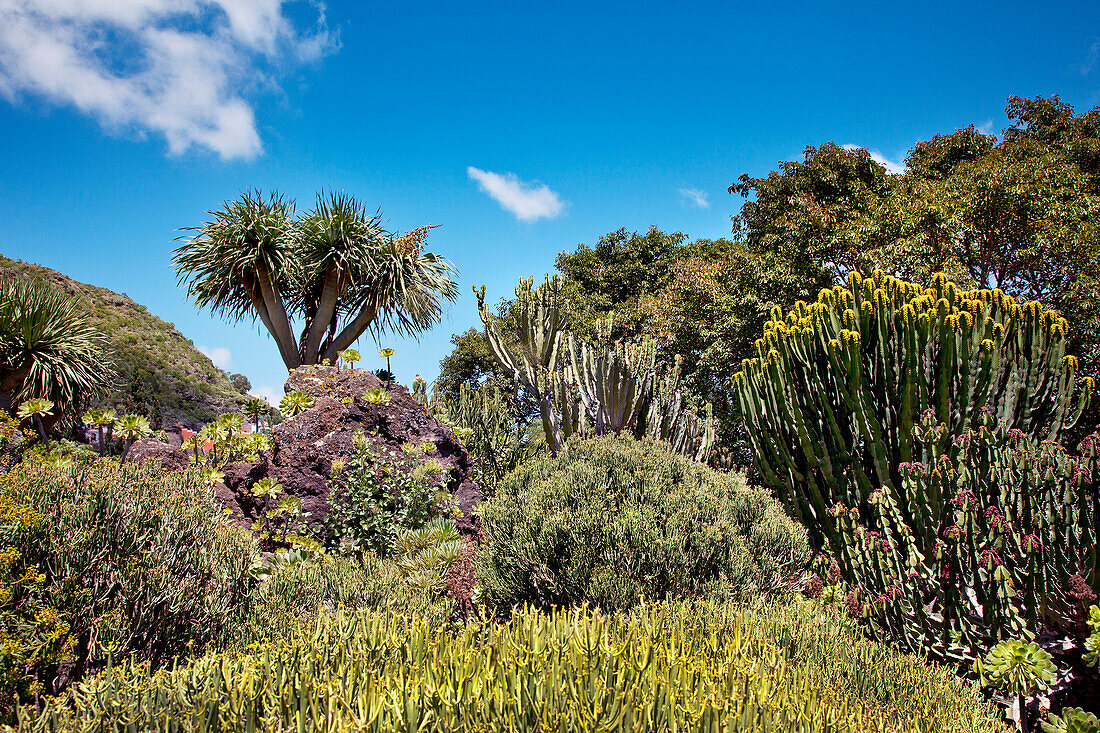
(1002, 543)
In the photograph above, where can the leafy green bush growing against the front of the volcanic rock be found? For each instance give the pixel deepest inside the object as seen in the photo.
(378, 496)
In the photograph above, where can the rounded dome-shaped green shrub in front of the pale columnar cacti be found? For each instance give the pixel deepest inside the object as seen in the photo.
(615, 521)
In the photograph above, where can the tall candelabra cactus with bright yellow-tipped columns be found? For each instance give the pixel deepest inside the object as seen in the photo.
(831, 401)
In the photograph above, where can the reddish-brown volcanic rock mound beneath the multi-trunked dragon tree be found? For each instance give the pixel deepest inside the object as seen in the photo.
(309, 444)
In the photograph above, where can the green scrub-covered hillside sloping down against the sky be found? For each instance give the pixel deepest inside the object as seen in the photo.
(158, 371)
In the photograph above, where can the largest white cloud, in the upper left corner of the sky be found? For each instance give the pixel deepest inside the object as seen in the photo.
(174, 68)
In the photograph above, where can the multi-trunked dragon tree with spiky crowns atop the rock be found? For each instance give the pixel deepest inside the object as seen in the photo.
(335, 269)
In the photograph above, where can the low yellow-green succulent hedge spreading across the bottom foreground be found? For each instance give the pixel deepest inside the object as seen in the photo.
(679, 668)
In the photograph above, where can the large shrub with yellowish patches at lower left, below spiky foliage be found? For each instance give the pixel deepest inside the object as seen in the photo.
(114, 561)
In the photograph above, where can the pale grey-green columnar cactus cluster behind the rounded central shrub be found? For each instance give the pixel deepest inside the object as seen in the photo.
(591, 389)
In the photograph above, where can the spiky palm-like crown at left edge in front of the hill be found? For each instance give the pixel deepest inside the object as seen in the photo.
(48, 347)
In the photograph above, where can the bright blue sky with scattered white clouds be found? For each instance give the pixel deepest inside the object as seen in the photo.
(125, 121)
